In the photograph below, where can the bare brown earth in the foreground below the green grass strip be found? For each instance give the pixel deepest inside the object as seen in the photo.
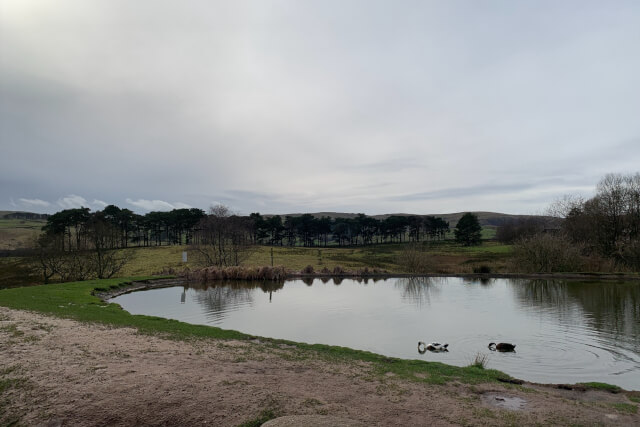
(78, 374)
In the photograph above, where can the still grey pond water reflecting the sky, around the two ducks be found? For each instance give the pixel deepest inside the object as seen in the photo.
(565, 331)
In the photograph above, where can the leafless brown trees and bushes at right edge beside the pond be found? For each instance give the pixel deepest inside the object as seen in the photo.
(601, 232)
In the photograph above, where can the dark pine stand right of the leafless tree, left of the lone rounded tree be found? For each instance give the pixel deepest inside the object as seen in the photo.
(307, 230)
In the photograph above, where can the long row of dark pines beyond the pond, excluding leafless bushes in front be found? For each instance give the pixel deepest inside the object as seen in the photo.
(71, 228)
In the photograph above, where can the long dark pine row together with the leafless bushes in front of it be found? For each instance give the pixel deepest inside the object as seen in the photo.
(78, 244)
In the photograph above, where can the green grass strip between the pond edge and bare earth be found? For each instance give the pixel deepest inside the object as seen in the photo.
(75, 301)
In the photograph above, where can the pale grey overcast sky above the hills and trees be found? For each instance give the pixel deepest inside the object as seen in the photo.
(302, 106)
